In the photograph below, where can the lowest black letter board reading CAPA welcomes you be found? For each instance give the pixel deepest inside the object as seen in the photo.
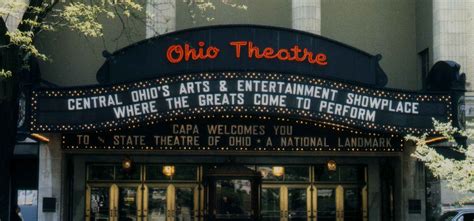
(234, 135)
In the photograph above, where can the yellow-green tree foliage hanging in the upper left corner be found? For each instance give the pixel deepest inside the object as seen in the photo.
(83, 17)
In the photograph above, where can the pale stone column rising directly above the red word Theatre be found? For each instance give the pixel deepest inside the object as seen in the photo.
(306, 15)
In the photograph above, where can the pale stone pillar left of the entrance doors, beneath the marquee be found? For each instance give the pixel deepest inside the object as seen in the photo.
(50, 176)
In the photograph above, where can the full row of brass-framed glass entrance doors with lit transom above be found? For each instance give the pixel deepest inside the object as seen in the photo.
(158, 192)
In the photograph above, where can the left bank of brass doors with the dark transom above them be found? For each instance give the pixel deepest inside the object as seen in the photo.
(147, 193)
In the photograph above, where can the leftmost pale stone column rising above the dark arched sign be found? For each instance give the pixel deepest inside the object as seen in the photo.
(161, 17)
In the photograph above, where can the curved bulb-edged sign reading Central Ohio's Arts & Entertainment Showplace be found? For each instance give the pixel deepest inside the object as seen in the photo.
(295, 97)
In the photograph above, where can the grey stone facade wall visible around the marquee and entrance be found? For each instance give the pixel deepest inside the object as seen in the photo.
(453, 39)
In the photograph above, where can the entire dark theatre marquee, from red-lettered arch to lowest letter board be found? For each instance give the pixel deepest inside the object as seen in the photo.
(244, 72)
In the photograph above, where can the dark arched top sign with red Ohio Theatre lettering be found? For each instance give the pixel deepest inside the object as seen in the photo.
(241, 48)
